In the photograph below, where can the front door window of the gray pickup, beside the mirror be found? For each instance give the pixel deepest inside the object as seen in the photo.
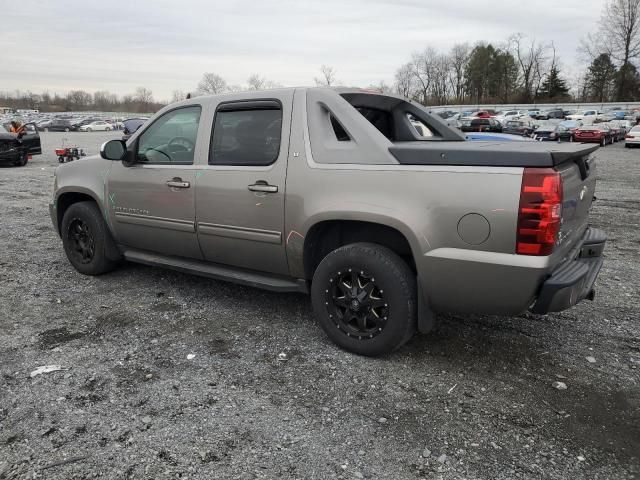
(171, 138)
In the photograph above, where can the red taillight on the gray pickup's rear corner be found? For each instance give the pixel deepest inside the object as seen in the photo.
(540, 211)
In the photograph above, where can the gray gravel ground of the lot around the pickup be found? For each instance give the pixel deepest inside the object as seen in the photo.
(174, 376)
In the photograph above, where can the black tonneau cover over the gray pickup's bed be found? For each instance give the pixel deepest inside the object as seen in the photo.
(489, 153)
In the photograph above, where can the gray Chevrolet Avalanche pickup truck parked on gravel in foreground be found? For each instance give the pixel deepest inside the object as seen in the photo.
(335, 192)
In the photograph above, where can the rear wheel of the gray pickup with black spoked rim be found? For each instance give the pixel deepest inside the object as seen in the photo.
(364, 297)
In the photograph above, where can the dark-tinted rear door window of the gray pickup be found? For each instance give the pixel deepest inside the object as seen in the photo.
(249, 137)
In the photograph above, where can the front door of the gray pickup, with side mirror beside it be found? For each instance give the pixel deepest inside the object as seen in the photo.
(152, 202)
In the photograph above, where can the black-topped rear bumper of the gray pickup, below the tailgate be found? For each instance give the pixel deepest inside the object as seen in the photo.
(573, 281)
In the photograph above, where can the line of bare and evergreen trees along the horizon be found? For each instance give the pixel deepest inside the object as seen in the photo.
(518, 70)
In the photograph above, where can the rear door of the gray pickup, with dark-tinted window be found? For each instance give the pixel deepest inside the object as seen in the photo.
(240, 192)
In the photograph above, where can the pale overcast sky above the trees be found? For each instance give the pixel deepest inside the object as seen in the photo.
(167, 45)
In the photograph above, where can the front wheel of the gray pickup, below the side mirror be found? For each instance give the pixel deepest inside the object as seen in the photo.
(86, 239)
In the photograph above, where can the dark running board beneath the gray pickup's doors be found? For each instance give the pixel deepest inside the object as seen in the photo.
(216, 271)
